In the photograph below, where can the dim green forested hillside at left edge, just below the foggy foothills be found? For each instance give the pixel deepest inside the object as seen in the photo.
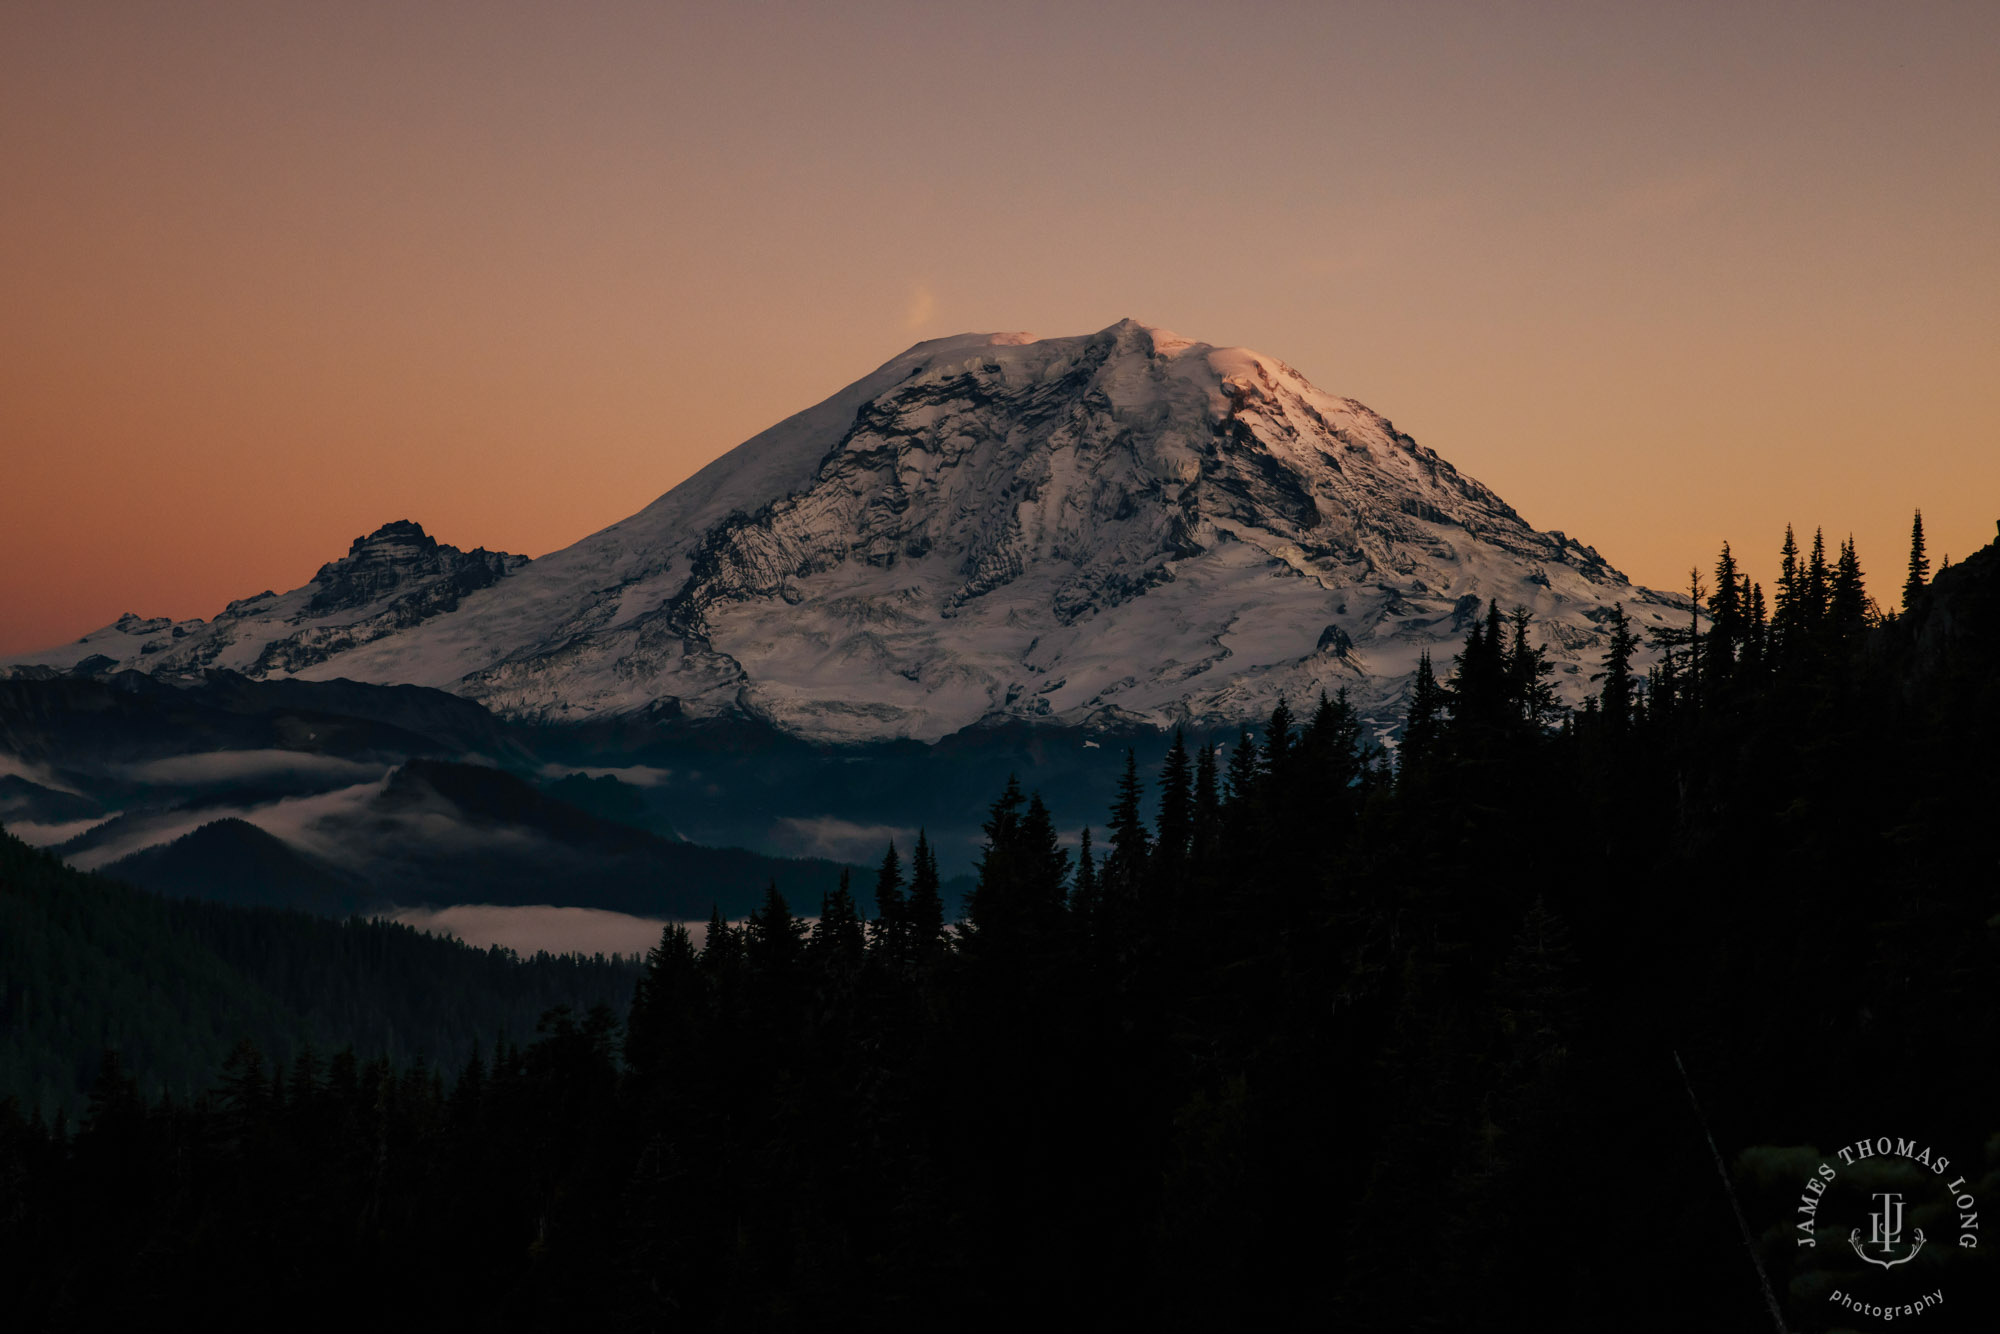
(173, 985)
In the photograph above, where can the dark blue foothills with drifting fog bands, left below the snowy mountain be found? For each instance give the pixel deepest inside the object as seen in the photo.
(341, 797)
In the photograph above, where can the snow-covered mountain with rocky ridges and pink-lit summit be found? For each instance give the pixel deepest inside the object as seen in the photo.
(1125, 527)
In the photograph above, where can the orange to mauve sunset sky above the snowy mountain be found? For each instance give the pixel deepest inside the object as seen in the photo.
(275, 275)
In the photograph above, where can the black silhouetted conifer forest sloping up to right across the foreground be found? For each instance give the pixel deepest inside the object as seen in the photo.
(1305, 1039)
